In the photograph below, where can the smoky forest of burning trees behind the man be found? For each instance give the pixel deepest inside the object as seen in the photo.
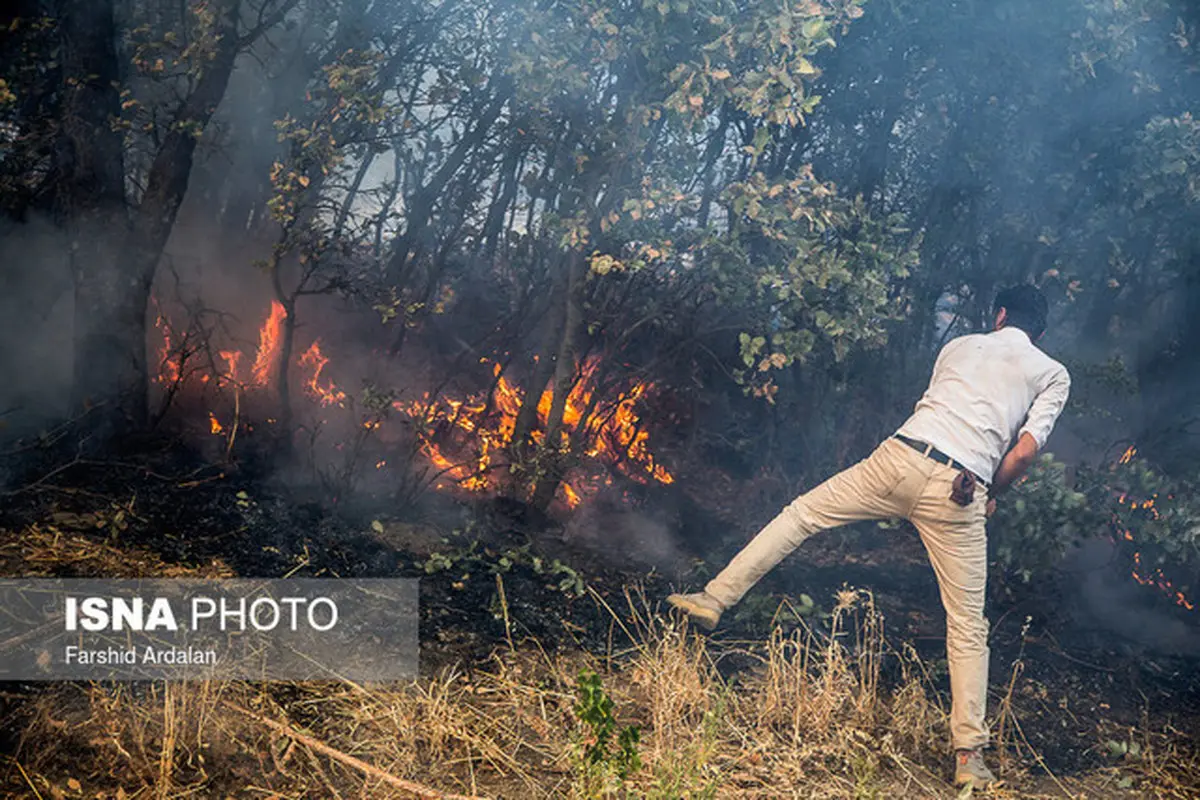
(746, 228)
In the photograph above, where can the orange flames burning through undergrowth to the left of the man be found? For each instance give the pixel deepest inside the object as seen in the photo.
(467, 441)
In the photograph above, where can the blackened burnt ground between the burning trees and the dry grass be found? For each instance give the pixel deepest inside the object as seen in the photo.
(1081, 689)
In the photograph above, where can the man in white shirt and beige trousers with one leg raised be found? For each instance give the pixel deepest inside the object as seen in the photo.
(987, 390)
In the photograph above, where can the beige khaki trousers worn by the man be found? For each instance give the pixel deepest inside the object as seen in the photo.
(898, 482)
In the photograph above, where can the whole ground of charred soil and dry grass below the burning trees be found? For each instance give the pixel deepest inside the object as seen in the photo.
(514, 610)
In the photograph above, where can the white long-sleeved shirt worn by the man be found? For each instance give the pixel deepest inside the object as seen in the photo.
(987, 390)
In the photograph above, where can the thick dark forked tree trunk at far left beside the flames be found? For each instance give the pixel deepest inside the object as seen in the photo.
(113, 257)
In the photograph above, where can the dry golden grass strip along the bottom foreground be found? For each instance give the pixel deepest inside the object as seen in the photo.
(814, 719)
